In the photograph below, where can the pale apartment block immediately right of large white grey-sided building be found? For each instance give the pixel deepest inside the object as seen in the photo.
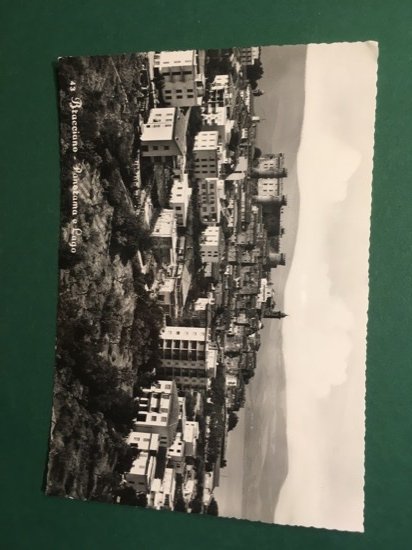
(206, 154)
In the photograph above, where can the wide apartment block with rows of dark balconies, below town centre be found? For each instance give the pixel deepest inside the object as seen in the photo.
(187, 356)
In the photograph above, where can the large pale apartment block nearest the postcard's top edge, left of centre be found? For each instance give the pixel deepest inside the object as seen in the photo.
(183, 76)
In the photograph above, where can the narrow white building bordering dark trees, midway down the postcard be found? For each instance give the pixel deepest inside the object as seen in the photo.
(164, 237)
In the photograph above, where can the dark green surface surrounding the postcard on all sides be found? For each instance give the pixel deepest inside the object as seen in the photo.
(33, 35)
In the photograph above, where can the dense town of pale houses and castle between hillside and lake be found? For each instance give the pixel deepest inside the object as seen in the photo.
(221, 187)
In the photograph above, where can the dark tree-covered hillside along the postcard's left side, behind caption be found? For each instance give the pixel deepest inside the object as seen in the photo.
(105, 315)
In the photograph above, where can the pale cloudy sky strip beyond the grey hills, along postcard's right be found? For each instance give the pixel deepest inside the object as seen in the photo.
(324, 335)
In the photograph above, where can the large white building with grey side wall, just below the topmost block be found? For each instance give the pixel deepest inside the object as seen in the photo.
(164, 134)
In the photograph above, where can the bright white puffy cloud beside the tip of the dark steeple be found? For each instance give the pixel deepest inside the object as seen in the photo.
(317, 339)
